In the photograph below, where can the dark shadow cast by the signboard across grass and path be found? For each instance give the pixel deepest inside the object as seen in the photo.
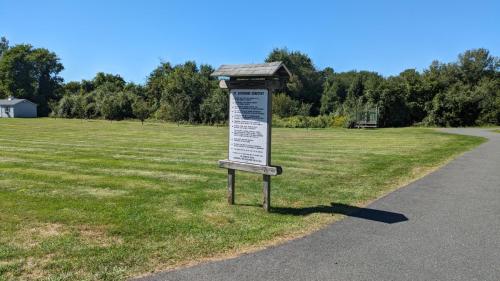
(347, 210)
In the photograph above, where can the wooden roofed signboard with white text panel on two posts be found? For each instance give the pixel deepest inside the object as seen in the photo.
(250, 121)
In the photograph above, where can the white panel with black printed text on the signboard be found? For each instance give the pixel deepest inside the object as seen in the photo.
(248, 126)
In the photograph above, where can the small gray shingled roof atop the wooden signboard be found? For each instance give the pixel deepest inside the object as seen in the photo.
(251, 70)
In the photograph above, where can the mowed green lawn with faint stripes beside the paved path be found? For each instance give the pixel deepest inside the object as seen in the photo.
(100, 200)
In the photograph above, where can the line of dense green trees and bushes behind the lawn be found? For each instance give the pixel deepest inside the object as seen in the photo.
(461, 93)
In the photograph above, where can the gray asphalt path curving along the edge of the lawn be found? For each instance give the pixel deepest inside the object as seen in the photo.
(445, 226)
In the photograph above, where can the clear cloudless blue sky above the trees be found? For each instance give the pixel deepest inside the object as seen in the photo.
(130, 38)
